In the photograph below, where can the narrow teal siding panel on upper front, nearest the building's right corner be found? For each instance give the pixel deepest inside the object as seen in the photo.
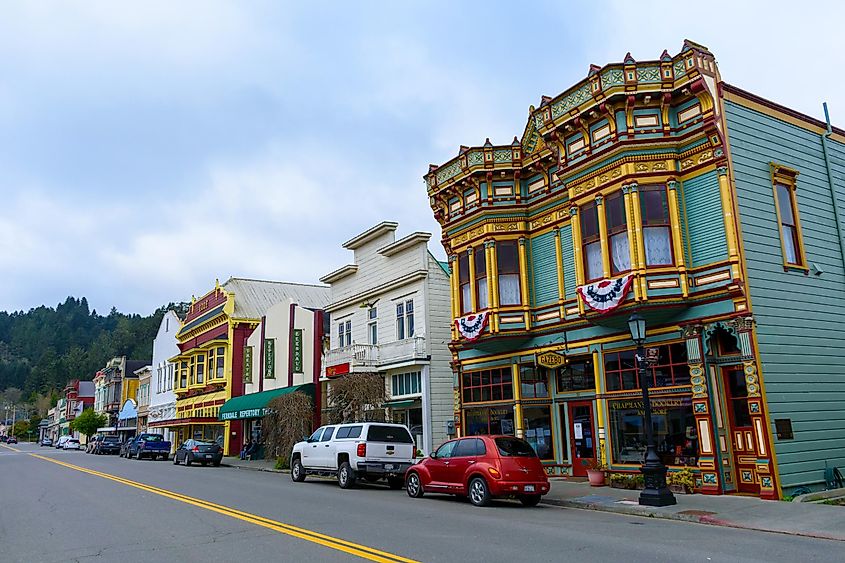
(705, 222)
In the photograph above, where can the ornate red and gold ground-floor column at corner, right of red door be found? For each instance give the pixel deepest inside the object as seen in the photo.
(764, 467)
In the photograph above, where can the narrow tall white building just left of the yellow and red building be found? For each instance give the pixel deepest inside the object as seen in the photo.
(162, 402)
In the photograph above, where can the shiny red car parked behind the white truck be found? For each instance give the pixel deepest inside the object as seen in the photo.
(481, 467)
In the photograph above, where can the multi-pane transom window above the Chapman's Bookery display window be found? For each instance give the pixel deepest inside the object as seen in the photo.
(670, 370)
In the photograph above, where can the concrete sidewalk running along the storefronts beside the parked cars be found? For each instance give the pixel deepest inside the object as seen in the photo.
(795, 518)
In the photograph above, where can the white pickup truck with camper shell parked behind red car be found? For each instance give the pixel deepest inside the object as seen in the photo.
(365, 450)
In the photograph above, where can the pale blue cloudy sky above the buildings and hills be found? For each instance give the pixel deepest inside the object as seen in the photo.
(149, 148)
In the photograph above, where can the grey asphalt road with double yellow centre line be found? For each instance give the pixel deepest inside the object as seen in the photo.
(80, 507)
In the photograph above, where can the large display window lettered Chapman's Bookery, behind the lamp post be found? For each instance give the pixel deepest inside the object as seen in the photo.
(674, 430)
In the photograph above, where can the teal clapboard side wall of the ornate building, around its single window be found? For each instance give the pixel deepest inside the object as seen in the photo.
(799, 327)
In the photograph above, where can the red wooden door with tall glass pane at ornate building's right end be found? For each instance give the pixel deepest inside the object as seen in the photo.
(742, 430)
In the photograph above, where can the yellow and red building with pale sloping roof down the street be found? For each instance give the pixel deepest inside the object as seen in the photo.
(210, 363)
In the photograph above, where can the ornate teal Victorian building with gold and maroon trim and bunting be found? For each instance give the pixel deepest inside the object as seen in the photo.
(652, 187)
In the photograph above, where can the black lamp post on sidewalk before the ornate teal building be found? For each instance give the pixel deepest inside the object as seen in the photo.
(655, 492)
